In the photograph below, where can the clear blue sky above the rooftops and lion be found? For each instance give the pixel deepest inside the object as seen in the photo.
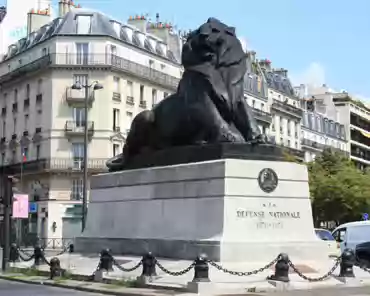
(316, 40)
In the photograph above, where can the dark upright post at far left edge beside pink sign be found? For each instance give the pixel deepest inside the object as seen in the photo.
(7, 202)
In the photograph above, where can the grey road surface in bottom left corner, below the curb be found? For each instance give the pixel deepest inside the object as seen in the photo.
(8, 288)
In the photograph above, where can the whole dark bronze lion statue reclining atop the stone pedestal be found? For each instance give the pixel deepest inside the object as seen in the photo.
(209, 105)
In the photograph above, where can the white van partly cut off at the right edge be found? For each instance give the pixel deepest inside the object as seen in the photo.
(352, 234)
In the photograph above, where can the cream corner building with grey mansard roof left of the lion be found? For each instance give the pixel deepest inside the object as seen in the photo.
(42, 117)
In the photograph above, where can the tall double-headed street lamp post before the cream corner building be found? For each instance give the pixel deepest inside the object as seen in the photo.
(78, 86)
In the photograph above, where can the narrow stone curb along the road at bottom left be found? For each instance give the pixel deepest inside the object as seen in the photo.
(76, 288)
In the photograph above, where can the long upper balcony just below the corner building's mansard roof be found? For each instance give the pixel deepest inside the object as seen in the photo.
(91, 61)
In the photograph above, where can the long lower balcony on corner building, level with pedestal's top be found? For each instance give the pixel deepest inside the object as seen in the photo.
(67, 165)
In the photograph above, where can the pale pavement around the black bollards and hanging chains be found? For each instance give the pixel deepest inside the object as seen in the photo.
(85, 265)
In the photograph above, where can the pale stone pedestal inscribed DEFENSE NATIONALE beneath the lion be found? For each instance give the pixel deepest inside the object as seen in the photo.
(215, 207)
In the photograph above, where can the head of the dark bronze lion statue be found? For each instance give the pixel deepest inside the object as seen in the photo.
(214, 43)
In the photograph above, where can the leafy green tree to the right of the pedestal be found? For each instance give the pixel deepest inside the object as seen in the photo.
(339, 191)
